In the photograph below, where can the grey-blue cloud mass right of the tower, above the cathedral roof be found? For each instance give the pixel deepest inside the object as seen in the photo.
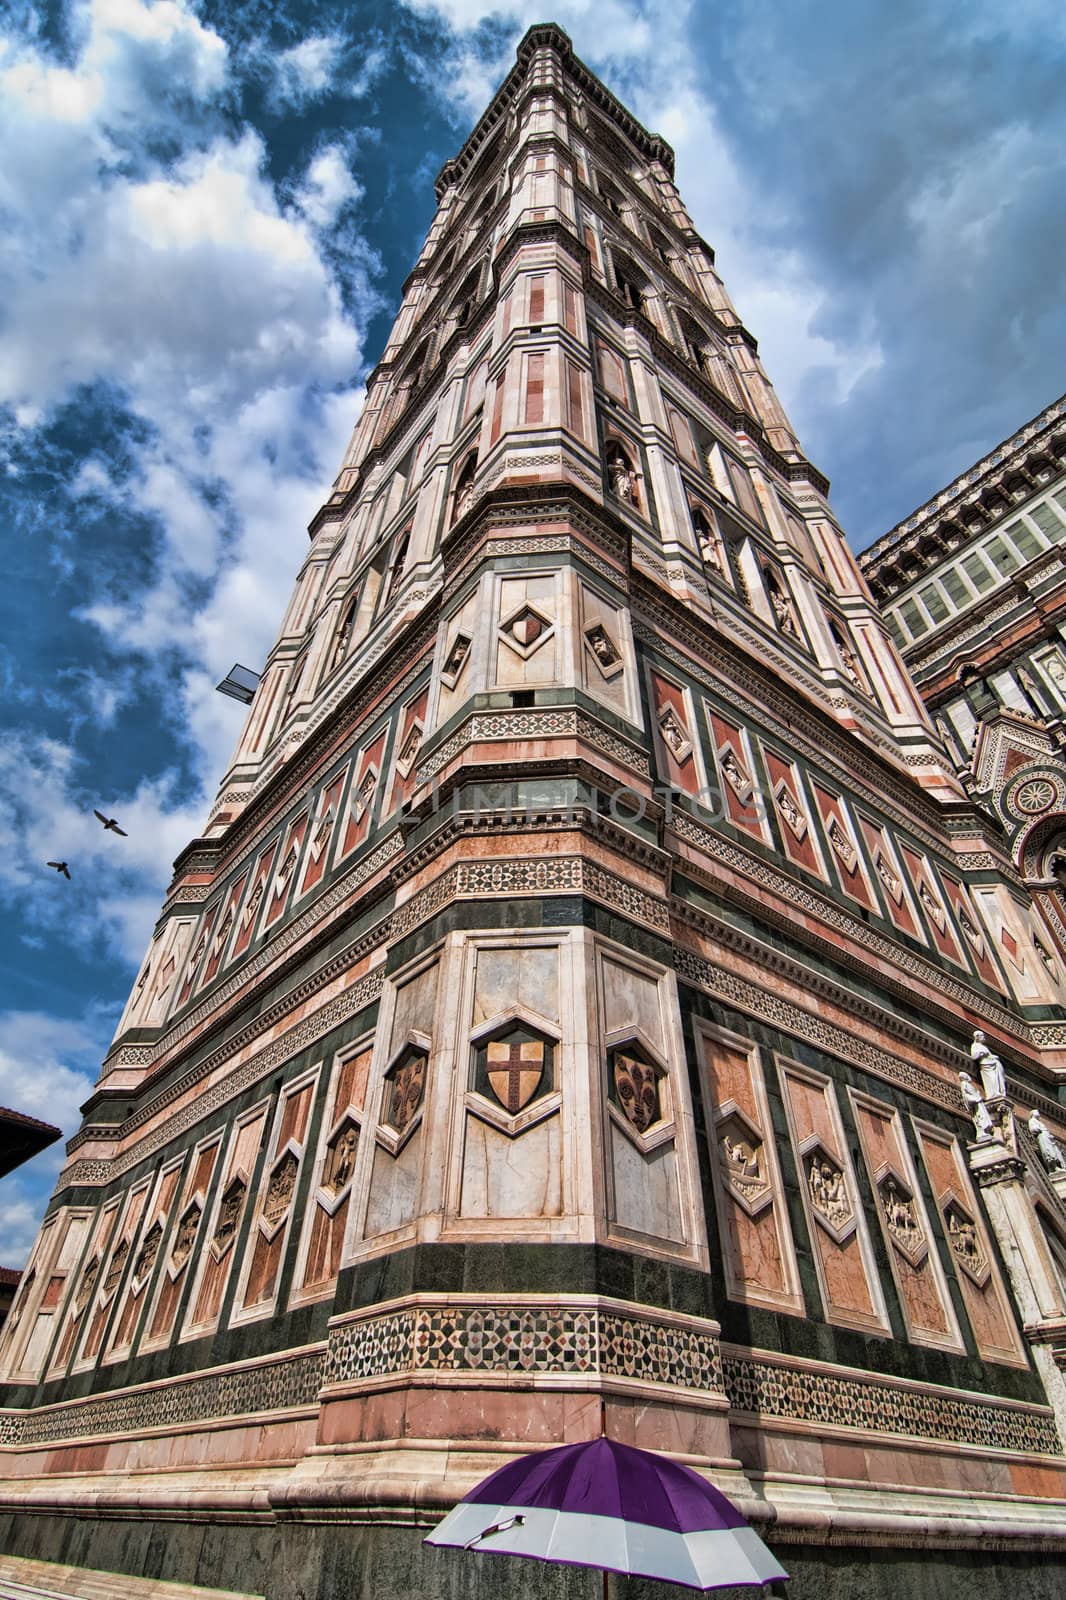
(915, 158)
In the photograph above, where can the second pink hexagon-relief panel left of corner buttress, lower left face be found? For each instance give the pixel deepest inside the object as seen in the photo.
(273, 1225)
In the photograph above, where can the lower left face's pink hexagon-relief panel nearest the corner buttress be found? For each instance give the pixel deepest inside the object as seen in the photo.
(327, 1212)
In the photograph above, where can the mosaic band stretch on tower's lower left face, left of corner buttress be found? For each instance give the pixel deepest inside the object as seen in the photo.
(247, 1391)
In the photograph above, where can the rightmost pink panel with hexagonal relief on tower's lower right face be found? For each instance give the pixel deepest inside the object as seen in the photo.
(979, 1278)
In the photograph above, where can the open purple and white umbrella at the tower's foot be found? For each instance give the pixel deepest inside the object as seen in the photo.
(612, 1506)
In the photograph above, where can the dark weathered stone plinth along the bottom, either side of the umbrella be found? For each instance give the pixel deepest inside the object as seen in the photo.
(348, 1558)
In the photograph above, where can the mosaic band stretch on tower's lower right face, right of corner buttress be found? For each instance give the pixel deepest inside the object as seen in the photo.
(806, 1396)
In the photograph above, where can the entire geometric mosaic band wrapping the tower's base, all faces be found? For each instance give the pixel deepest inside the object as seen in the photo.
(535, 1340)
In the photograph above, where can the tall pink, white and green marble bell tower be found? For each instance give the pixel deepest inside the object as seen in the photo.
(561, 1017)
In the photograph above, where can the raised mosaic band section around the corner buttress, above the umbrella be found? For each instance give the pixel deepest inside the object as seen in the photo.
(539, 1340)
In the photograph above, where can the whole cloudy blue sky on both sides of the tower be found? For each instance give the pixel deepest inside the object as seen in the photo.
(209, 210)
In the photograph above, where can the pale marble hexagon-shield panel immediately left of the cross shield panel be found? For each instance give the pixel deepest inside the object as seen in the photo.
(403, 1090)
